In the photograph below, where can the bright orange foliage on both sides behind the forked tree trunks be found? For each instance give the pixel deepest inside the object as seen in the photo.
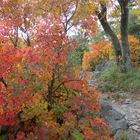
(103, 51)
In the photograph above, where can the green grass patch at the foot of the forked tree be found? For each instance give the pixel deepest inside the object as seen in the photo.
(113, 79)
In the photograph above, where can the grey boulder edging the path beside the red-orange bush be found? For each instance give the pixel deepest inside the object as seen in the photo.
(117, 120)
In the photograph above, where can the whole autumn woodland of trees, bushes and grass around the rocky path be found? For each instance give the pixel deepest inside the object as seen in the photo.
(47, 48)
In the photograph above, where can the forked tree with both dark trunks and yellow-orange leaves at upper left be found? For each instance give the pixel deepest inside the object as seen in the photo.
(100, 9)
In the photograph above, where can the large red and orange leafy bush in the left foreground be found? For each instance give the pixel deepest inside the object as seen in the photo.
(39, 98)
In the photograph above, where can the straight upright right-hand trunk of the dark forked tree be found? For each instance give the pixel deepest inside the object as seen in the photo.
(124, 35)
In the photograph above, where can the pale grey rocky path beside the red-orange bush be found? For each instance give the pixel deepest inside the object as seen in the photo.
(123, 115)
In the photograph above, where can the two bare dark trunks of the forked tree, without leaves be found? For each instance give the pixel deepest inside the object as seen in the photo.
(121, 48)
